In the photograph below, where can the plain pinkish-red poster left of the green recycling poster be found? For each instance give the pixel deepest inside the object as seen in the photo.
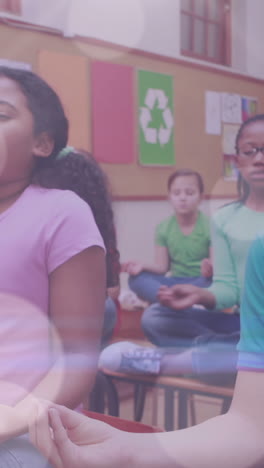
(113, 120)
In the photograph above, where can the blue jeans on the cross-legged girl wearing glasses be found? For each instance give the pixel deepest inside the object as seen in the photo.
(211, 334)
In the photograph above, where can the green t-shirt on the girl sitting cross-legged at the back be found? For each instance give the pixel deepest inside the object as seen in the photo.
(185, 251)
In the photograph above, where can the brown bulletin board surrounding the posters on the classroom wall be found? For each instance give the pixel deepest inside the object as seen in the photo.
(66, 64)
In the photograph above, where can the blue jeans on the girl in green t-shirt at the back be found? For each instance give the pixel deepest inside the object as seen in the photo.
(146, 284)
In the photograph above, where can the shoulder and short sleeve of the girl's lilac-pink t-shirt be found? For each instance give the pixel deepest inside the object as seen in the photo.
(66, 223)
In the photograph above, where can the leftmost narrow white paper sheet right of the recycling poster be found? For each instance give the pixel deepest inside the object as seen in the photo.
(212, 113)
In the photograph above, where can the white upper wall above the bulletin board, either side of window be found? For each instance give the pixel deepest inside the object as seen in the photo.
(150, 25)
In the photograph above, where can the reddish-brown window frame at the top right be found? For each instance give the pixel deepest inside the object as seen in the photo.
(223, 22)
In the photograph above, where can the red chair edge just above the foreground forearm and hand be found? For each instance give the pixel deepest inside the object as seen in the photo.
(122, 424)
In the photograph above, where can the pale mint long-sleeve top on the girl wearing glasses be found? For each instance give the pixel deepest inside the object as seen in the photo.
(233, 229)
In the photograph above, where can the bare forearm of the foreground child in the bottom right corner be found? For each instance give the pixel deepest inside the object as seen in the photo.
(230, 441)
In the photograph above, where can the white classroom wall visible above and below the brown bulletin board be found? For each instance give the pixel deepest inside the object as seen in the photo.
(151, 25)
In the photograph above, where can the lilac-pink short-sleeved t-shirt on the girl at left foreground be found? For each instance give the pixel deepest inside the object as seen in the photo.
(43, 229)
